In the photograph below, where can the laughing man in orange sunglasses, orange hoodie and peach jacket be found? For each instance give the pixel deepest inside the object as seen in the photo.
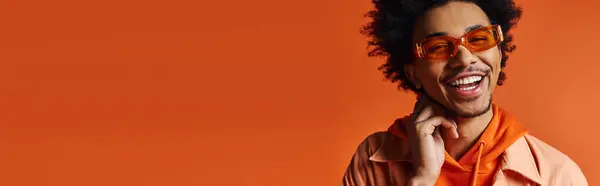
(451, 54)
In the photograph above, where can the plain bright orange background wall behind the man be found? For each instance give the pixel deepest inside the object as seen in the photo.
(253, 93)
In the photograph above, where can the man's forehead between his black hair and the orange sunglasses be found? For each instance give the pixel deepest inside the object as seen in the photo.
(452, 19)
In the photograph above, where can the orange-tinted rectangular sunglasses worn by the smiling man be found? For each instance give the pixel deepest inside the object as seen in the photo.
(444, 47)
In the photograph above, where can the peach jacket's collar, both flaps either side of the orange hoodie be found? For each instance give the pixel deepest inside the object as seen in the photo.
(518, 157)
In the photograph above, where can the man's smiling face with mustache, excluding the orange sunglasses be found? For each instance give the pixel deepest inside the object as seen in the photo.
(463, 83)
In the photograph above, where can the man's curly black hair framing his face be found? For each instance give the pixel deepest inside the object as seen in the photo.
(390, 32)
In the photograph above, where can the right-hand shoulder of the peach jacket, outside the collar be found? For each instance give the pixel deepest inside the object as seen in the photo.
(555, 165)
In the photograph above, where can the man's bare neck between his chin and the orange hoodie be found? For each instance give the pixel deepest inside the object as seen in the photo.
(469, 131)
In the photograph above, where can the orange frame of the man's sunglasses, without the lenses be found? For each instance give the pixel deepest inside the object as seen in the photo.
(460, 41)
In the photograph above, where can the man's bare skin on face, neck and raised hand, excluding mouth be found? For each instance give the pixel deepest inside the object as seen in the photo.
(446, 119)
